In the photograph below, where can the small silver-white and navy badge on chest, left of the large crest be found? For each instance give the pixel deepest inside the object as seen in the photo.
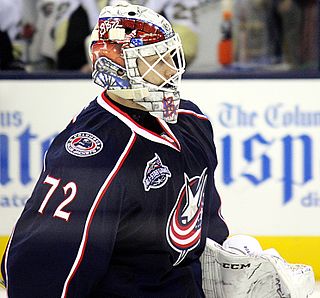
(155, 174)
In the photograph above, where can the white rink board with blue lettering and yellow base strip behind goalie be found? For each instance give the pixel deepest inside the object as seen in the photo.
(267, 139)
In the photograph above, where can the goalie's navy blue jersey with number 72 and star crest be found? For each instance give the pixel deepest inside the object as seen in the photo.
(122, 208)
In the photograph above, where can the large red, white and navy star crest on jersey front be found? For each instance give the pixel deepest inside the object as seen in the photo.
(185, 221)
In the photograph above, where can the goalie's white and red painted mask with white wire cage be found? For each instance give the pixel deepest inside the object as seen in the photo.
(129, 38)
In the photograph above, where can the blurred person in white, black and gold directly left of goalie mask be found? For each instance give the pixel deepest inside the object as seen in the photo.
(61, 27)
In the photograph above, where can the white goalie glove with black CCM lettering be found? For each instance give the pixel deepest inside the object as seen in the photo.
(262, 274)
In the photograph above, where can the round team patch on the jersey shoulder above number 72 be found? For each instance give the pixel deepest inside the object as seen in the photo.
(83, 144)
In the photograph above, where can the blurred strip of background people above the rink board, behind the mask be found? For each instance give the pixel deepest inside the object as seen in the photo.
(47, 35)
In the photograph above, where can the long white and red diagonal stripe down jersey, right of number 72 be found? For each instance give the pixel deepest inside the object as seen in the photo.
(95, 205)
